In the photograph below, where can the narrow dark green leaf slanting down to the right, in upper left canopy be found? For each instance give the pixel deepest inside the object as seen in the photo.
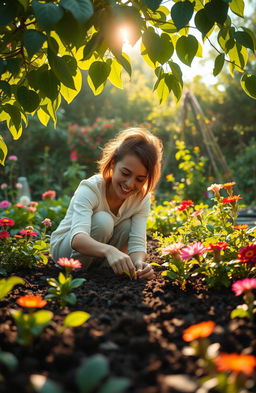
(61, 69)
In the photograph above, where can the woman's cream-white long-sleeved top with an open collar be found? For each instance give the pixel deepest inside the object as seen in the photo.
(89, 198)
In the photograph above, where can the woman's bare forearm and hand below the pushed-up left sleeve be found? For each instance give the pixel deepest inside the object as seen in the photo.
(118, 261)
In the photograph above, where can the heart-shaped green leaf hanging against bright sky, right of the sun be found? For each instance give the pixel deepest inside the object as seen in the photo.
(186, 48)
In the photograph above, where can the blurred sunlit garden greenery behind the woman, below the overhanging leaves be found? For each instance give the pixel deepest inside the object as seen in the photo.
(58, 158)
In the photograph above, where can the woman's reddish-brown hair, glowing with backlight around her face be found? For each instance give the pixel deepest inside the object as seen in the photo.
(139, 142)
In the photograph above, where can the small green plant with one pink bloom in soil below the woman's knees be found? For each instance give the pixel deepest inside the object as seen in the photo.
(63, 286)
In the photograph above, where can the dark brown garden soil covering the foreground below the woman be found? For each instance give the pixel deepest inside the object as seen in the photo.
(136, 324)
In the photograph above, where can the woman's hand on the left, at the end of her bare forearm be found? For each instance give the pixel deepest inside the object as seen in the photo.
(119, 261)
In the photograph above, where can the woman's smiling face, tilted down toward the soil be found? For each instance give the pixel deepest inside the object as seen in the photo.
(129, 176)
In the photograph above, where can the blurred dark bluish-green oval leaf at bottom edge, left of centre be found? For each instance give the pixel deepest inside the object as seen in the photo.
(91, 372)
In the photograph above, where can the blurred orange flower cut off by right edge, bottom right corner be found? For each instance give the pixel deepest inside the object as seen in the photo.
(235, 362)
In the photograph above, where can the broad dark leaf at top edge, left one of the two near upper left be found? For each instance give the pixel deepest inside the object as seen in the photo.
(47, 14)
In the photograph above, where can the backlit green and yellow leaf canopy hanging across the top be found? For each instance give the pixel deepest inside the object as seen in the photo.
(45, 45)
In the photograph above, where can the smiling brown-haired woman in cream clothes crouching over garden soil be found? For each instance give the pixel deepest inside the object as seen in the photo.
(105, 223)
